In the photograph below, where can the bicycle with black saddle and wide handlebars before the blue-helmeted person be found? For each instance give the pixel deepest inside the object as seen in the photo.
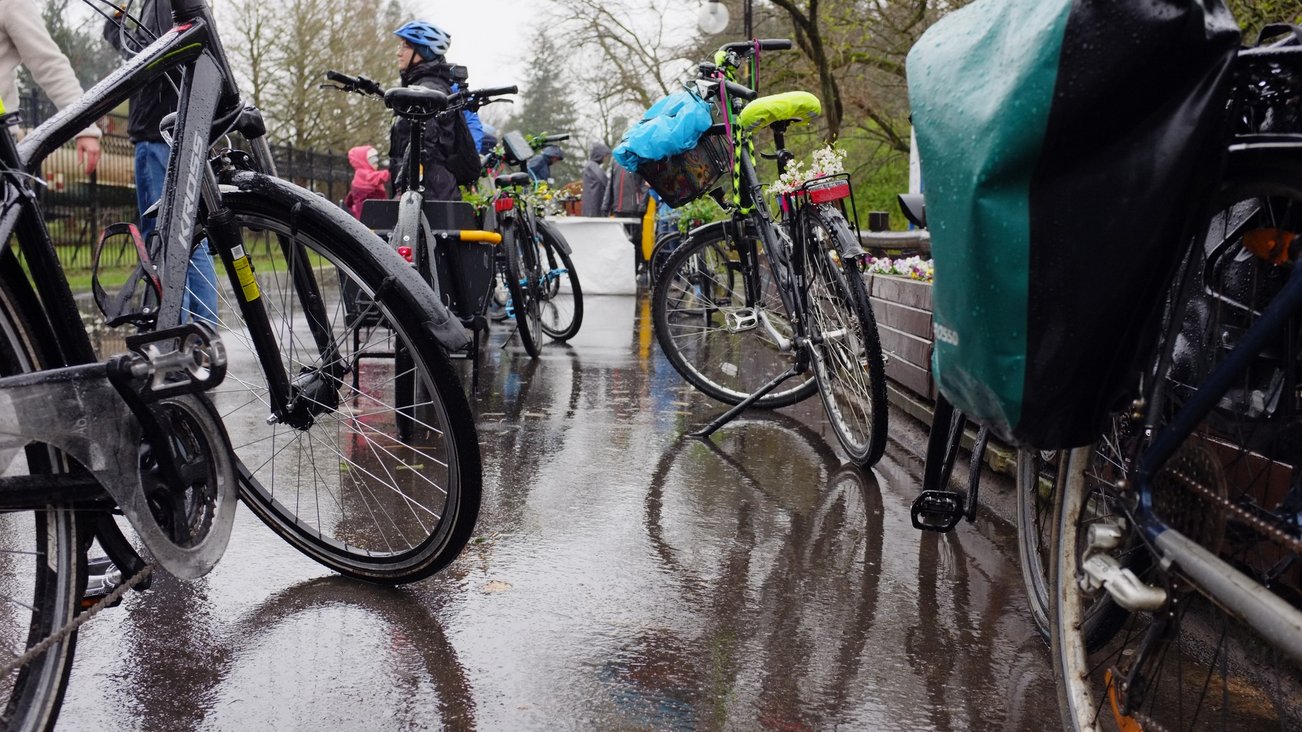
(459, 273)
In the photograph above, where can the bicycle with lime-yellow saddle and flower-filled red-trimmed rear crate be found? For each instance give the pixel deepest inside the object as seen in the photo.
(749, 303)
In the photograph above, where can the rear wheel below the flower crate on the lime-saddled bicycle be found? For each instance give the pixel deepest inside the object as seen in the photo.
(848, 361)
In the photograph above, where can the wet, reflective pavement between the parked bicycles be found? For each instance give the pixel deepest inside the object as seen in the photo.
(622, 578)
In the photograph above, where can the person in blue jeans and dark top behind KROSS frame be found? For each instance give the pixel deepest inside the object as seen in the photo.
(148, 109)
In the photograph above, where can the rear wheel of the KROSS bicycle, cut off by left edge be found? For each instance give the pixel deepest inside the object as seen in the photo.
(45, 570)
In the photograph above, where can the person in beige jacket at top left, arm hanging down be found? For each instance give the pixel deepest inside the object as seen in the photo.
(24, 40)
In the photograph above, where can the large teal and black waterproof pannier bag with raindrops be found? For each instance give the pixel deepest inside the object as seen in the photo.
(1064, 147)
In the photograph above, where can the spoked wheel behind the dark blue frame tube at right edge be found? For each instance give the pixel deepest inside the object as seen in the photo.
(1198, 665)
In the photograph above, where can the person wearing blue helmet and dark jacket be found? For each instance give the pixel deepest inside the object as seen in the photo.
(421, 63)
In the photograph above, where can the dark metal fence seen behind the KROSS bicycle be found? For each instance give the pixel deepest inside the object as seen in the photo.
(77, 206)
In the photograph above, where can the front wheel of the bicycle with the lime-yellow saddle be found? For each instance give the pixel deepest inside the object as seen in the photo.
(692, 324)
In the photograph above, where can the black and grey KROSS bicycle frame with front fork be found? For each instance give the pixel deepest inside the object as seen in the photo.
(210, 106)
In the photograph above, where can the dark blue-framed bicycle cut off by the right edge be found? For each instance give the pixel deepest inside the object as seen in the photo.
(1176, 559)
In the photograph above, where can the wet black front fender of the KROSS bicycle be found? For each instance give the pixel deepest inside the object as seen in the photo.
(442, 324)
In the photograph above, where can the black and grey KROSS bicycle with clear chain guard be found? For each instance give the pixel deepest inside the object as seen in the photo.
(317, 462)
